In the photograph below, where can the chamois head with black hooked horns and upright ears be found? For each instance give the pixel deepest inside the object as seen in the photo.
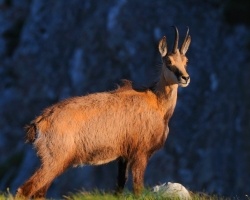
(175, 62)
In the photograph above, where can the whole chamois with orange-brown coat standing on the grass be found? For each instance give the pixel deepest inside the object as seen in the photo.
(126, 125)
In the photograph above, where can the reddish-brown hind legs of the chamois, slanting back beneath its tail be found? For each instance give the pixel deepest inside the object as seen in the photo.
(37, 185)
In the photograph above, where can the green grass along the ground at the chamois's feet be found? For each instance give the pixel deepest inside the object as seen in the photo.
(146, 195)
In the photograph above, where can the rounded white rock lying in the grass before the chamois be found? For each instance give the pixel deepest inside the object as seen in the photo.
(172, 190)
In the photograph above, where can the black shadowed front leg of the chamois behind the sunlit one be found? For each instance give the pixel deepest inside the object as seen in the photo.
(122, 175)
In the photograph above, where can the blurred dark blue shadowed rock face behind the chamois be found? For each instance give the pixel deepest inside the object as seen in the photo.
(52, 50)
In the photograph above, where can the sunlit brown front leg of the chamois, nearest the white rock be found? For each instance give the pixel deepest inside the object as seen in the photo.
(138, 167)
